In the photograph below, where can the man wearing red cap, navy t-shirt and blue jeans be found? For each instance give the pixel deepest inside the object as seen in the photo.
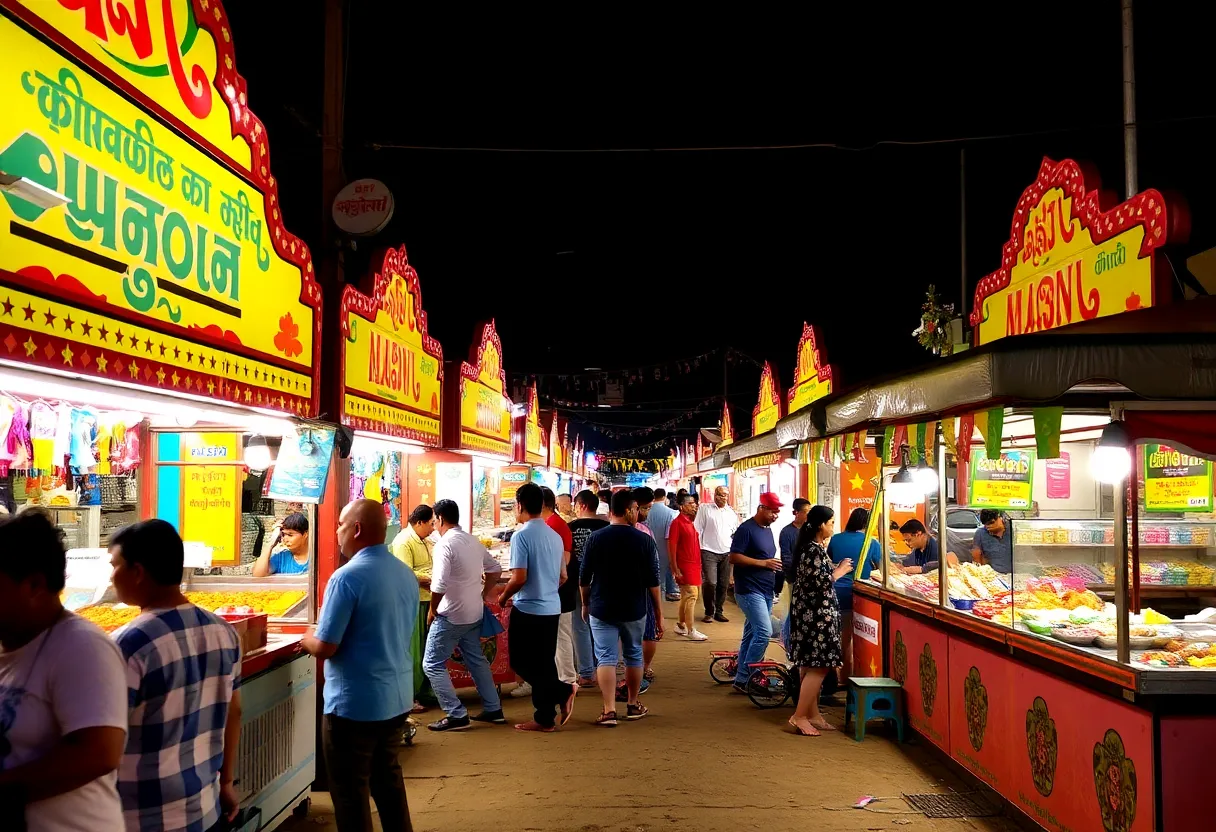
(755, 555)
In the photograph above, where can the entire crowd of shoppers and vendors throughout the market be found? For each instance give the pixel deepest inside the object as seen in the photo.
(142, 729)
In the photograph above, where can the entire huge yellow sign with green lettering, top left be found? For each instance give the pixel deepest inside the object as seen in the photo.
(170, 267)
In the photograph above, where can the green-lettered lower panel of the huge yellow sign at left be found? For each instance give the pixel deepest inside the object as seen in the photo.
(165, 268)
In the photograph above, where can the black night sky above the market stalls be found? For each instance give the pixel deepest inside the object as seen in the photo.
(675, 254)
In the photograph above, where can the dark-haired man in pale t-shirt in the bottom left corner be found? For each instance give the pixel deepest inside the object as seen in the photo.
(63, 694)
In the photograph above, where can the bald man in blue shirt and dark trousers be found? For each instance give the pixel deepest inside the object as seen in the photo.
(368, 619)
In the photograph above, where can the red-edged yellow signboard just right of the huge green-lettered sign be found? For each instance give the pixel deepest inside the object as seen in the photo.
(392, 367)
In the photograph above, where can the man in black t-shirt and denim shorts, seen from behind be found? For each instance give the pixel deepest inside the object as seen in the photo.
(617, 574)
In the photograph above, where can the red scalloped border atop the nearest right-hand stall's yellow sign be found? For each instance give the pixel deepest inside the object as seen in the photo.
(1147, 210)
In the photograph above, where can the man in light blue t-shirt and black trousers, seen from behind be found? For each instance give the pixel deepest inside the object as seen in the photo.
(538, 569)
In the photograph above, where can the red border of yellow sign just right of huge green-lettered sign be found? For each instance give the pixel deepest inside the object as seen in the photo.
(396, 261)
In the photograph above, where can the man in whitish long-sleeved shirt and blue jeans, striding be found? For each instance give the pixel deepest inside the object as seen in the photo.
(458, 605)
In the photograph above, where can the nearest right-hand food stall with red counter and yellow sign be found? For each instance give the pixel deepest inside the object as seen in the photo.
(1068, 665)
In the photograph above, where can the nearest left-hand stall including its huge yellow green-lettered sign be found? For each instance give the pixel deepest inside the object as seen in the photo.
(143, 373)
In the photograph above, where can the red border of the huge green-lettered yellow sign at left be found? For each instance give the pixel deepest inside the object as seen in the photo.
(211, 16)
